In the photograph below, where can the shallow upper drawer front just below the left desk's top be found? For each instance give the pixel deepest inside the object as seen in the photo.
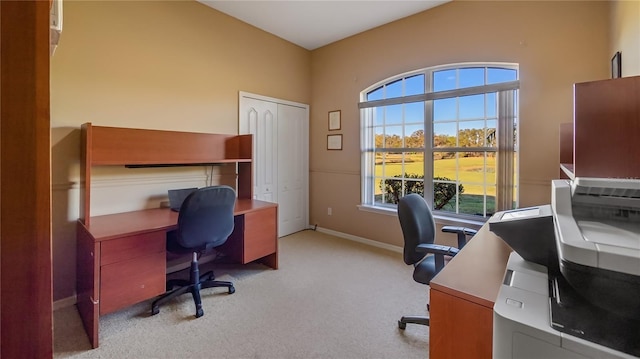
(125, 248)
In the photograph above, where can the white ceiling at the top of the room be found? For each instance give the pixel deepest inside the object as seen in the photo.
(312, 23)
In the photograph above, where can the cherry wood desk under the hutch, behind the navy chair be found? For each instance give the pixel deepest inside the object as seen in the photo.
(121, 258)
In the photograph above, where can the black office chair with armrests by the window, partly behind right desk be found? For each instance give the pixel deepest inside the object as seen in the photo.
(420, 250)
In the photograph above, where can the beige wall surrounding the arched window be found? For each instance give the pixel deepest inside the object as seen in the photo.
(556, 43)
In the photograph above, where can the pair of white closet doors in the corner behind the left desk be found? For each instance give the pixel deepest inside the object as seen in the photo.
(280, 132)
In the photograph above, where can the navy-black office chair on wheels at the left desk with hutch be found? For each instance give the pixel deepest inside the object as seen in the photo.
(205, 221)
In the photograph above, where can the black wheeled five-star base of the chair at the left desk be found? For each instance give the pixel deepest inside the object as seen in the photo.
(195, 283)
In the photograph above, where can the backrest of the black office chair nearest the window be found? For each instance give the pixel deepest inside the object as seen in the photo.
(418, 226)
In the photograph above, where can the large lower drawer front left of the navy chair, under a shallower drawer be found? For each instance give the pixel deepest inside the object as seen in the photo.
(132, 281)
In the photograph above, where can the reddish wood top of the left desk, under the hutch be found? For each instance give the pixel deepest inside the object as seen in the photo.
(137, 222)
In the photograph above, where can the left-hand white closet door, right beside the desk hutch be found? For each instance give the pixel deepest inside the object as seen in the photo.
(259, 119)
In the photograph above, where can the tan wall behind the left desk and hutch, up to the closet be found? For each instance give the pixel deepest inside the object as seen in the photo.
(175, 65)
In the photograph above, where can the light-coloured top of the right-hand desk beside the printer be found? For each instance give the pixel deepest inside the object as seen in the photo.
(476, 273)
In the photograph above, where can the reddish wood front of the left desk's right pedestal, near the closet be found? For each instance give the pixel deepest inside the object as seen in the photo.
(260, 234)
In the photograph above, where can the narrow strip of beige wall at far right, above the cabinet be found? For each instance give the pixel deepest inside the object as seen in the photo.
(625, 35)
